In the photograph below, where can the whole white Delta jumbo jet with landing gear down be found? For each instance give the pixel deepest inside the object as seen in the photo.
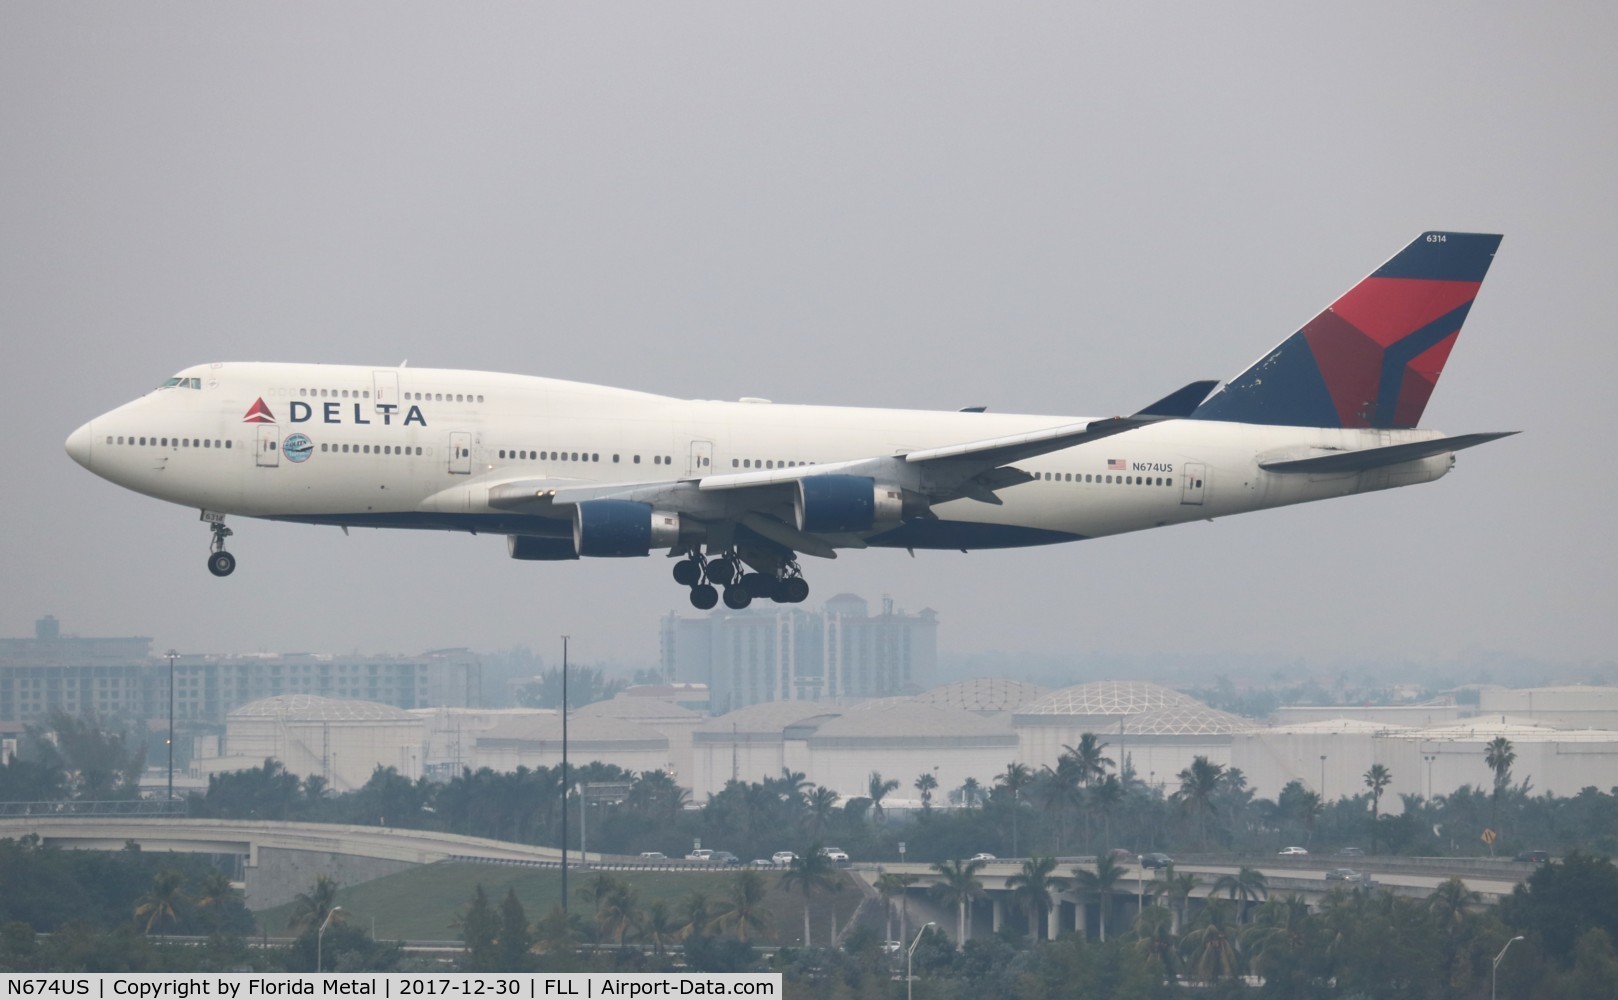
(737, 491)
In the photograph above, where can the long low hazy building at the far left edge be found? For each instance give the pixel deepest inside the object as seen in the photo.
(119, 677)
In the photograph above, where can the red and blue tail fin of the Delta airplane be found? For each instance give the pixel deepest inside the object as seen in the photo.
(1373, 358)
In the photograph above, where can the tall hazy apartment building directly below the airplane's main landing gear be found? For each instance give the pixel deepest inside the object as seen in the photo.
(794, 655)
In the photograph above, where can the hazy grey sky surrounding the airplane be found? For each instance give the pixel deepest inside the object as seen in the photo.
(1064, 210)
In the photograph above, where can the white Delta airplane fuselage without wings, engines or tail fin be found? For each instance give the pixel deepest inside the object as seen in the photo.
(423, 449)
